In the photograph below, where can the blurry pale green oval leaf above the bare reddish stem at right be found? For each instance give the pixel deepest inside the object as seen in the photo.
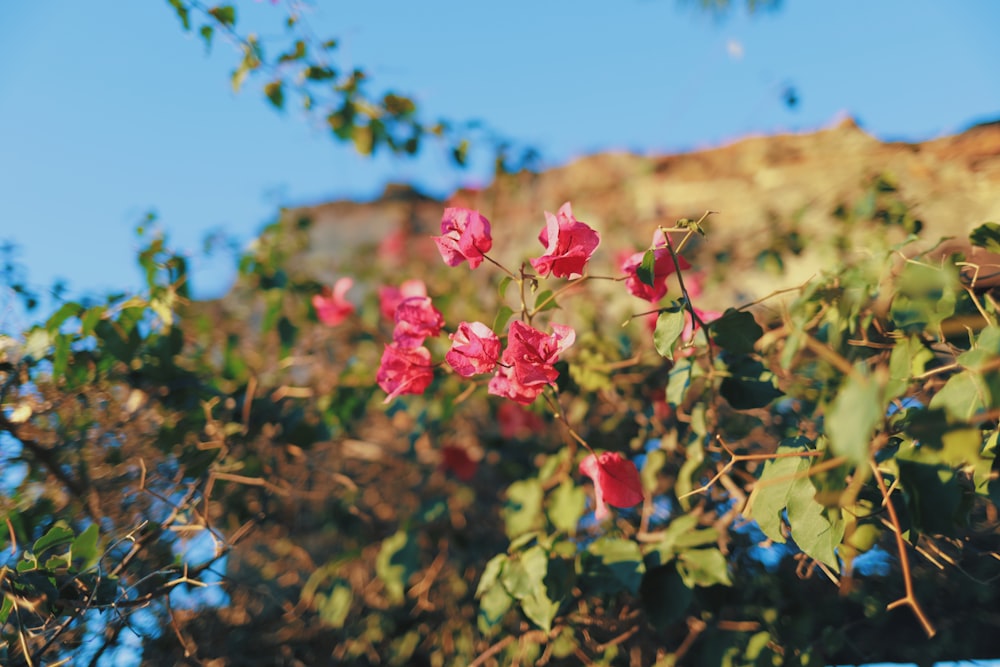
(852, 418)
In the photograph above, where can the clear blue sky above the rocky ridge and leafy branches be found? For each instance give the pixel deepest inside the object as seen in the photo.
(109, 110)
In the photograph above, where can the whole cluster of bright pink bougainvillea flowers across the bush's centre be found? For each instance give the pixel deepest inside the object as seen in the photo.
(523, 359)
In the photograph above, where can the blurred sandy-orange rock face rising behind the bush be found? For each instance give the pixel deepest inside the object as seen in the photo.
(769, 193)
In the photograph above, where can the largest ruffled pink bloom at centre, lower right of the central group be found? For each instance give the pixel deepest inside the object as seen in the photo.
(527, 364)
